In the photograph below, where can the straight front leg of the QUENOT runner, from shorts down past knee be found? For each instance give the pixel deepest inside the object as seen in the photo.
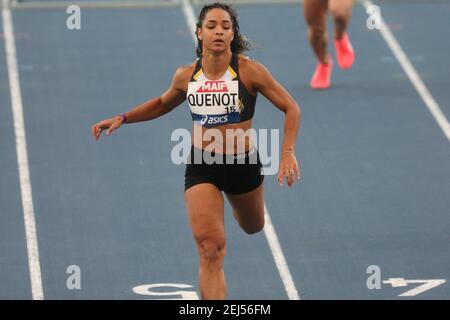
(204, 203)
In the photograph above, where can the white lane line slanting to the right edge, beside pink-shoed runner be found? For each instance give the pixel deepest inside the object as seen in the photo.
(412, 74)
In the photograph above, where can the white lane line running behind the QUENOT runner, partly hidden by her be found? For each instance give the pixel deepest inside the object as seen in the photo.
(269, 230)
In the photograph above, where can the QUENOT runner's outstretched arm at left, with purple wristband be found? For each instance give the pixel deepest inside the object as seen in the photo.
(151, 109)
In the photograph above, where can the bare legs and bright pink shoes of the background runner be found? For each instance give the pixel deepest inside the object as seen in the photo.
(316, 12)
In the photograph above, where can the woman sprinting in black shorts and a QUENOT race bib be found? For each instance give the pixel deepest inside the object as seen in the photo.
(221, 88)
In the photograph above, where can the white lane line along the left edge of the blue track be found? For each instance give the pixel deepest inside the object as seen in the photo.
(22, 156)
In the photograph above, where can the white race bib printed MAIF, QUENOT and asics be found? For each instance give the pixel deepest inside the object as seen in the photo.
(214, 103)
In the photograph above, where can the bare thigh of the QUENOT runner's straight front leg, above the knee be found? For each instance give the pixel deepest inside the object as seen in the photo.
(204, 204)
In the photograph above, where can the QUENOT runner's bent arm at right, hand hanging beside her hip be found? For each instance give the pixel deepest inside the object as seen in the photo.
(263, 82)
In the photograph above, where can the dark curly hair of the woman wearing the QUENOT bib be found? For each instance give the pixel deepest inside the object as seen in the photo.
(239, 44)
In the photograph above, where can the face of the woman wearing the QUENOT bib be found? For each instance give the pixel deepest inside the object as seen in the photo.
(216, 31)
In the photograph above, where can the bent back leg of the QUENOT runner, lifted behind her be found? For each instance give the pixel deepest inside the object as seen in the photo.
(248, 209)
